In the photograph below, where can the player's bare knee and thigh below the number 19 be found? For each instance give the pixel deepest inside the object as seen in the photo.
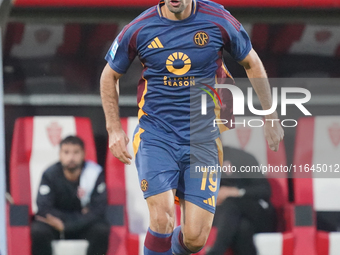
(196, 224)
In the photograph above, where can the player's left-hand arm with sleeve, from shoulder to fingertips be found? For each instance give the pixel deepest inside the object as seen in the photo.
(119, 57)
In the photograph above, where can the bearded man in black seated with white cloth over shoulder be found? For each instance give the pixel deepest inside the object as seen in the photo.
(71, 202)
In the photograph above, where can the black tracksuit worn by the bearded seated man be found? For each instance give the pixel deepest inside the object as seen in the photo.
(59, 197)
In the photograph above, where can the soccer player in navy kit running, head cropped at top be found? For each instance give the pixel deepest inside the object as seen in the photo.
(178, 43)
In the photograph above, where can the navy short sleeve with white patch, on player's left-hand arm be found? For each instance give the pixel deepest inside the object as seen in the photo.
(123, 50)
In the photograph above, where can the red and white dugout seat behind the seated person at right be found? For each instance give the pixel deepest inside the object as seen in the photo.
(252, 140)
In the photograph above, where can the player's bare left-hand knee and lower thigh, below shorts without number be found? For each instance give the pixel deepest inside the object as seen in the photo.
(162, 211)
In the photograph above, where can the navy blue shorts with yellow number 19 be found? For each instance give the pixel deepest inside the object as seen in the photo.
(163, 166)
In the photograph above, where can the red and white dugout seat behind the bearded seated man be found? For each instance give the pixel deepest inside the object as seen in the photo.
(35, 146)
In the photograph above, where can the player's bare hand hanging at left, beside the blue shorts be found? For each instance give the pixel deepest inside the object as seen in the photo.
(118, 141)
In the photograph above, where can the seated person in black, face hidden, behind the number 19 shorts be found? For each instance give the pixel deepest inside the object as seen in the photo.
(244, 206)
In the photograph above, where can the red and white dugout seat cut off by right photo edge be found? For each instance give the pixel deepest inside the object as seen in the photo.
(317, 142)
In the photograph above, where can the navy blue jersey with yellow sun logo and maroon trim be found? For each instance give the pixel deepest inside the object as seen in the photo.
(178, 57)
